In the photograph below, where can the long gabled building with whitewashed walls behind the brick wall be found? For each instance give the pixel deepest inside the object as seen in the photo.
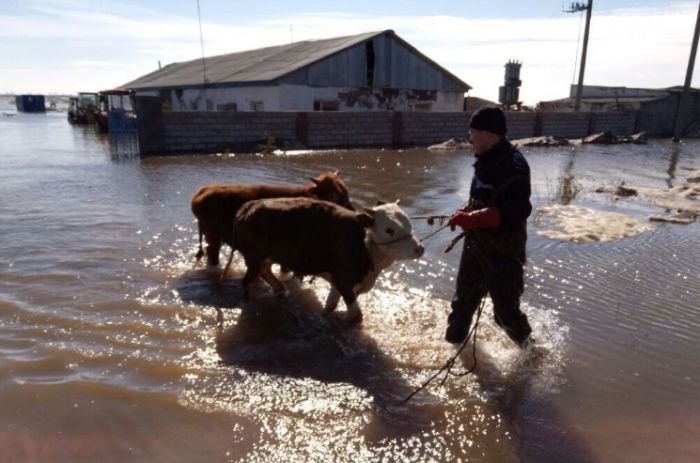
(375, 71)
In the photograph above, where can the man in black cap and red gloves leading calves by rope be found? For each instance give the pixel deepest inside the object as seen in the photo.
(495, 225)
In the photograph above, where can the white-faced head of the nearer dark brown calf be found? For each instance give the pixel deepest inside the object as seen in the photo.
(390, 229)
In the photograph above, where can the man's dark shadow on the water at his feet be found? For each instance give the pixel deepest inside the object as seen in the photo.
(541, 432)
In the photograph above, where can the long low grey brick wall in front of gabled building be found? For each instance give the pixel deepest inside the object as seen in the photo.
(197, 132)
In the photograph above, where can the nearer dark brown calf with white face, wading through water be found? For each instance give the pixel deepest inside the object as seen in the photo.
(312, 237)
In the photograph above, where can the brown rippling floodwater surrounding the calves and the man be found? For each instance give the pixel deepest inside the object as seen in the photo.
(113, 348)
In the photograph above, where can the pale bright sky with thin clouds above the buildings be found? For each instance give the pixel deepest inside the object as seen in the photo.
(66, 46)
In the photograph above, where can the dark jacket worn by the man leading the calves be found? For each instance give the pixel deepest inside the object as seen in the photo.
(502, 179)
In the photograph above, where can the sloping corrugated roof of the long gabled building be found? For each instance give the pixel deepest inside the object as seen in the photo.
(260, 65)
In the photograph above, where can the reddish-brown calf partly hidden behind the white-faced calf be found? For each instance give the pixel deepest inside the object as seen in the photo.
(215, 206)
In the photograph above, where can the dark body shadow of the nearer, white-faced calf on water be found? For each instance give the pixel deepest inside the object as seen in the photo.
(290, 336)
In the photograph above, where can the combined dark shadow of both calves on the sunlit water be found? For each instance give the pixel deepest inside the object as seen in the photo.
(290, 337)
